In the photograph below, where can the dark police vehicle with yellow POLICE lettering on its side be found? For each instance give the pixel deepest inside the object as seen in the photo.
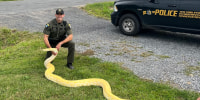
(175, 15)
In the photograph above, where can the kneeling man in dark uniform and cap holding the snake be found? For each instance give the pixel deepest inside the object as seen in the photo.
(58, 33)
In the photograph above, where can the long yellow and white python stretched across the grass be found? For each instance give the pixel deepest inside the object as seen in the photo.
(76, 83)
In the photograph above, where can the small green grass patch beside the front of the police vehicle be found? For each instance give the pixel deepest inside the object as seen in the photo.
(102, 10)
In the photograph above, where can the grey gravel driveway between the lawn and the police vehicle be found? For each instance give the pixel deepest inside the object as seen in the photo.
(155, 55)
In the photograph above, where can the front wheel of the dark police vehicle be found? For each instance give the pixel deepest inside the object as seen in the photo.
(129, 24)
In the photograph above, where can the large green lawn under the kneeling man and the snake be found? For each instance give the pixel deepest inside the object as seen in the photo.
(22, 74)
